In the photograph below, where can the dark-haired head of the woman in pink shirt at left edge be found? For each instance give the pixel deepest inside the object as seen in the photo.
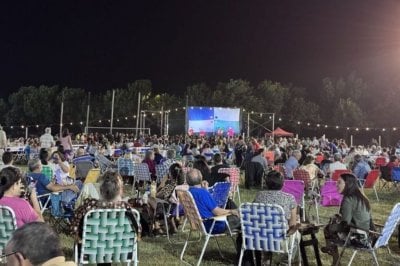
(10, 181)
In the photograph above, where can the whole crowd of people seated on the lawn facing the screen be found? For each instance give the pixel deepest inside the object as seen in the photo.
(51, 160)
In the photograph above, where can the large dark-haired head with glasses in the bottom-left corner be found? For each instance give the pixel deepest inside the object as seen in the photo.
(33, 244)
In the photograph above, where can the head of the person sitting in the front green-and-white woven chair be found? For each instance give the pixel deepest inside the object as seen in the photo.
(111, 187)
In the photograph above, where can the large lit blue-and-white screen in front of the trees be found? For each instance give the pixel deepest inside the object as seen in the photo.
(213, 120)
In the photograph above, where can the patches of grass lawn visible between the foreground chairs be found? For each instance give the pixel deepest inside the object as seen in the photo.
(158, 251)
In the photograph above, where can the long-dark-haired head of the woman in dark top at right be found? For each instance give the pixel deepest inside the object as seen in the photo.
(347, 185)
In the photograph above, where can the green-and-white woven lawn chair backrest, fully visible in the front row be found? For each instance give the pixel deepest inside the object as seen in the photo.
(108, 237)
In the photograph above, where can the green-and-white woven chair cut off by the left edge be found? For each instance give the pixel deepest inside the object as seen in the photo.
(8, 224)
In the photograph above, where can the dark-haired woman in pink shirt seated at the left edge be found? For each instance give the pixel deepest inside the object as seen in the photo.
(11, 190)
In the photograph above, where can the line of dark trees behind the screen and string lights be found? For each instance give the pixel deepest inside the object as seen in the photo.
(347, 101)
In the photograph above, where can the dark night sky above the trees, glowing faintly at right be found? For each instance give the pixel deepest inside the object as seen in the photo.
(98, 45)
